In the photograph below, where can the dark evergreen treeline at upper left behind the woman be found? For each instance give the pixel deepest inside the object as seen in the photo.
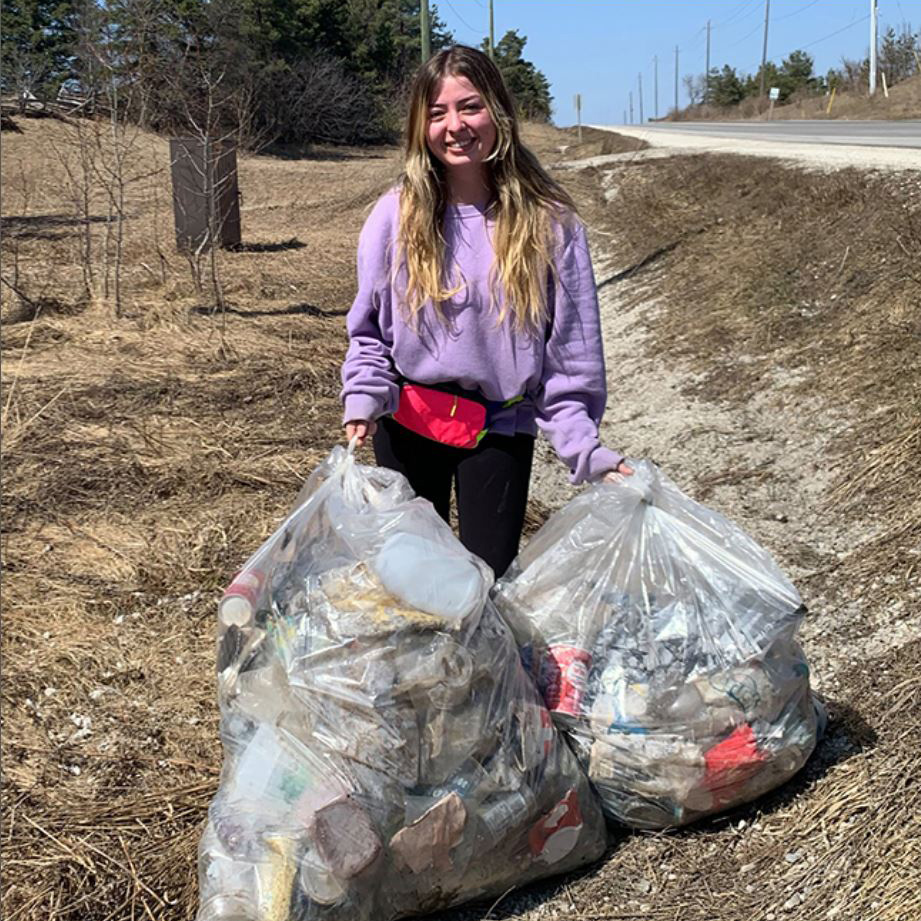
(287, 71)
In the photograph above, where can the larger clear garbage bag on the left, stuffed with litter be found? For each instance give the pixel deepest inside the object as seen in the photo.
(385, 752)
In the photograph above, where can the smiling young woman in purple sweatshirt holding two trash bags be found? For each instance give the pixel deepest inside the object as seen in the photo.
(476, 312)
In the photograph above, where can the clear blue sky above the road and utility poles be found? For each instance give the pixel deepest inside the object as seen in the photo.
(599, 47)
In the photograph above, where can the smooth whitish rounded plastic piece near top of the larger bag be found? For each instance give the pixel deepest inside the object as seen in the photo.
(430, 577)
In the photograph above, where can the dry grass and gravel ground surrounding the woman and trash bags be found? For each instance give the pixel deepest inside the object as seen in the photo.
(761, 326)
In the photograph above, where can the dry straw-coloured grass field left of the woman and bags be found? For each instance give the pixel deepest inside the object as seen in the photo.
(145, 457)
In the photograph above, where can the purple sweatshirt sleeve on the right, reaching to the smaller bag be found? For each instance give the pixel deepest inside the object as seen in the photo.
(573, 392)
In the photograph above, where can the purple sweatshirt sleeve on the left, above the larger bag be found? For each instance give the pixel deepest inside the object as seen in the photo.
(369, 380)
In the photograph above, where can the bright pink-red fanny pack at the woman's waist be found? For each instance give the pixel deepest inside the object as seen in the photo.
(449, 416)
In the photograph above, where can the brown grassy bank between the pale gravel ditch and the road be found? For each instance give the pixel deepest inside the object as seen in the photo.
(816, 273)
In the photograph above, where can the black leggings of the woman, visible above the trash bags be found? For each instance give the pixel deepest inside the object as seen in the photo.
(491, 483)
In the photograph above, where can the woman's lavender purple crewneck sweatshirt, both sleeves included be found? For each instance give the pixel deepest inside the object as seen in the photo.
(561, 373)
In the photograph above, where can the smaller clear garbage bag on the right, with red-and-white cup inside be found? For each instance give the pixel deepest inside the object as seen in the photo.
(663, 639)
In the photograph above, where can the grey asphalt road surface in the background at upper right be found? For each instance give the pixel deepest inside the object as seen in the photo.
(855, 133)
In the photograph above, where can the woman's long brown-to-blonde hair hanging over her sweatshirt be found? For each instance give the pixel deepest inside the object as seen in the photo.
(525, 203)
